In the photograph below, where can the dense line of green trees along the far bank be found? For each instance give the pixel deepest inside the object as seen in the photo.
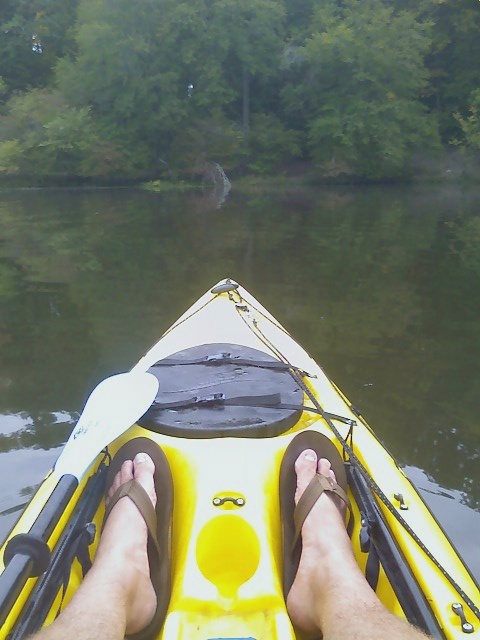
(107, 88)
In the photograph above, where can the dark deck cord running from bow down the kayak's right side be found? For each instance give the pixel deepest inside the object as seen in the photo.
(243, 309)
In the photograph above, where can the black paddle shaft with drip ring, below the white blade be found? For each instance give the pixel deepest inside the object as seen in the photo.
(27, 555)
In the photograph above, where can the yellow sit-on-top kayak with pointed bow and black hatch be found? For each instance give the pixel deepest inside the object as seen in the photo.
(224, 392)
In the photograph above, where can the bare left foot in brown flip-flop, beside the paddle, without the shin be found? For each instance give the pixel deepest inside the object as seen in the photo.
(122, 552)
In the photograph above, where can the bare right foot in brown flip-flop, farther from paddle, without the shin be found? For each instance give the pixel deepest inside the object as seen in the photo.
(327, 557)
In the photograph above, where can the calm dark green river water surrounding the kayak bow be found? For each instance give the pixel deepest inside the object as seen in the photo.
(381, 285)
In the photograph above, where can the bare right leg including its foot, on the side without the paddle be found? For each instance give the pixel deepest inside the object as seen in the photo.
(330, 594)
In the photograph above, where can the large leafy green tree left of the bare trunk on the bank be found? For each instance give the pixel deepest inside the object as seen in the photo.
(134, 65)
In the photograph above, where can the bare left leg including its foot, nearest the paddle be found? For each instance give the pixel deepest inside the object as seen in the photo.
(116, 596)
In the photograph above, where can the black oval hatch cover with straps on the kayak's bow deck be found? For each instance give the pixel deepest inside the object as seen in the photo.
(220, 390)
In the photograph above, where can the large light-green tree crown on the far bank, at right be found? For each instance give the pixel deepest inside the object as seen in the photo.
(356, 84)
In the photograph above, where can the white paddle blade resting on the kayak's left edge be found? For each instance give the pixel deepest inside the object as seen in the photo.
(113, 407)
